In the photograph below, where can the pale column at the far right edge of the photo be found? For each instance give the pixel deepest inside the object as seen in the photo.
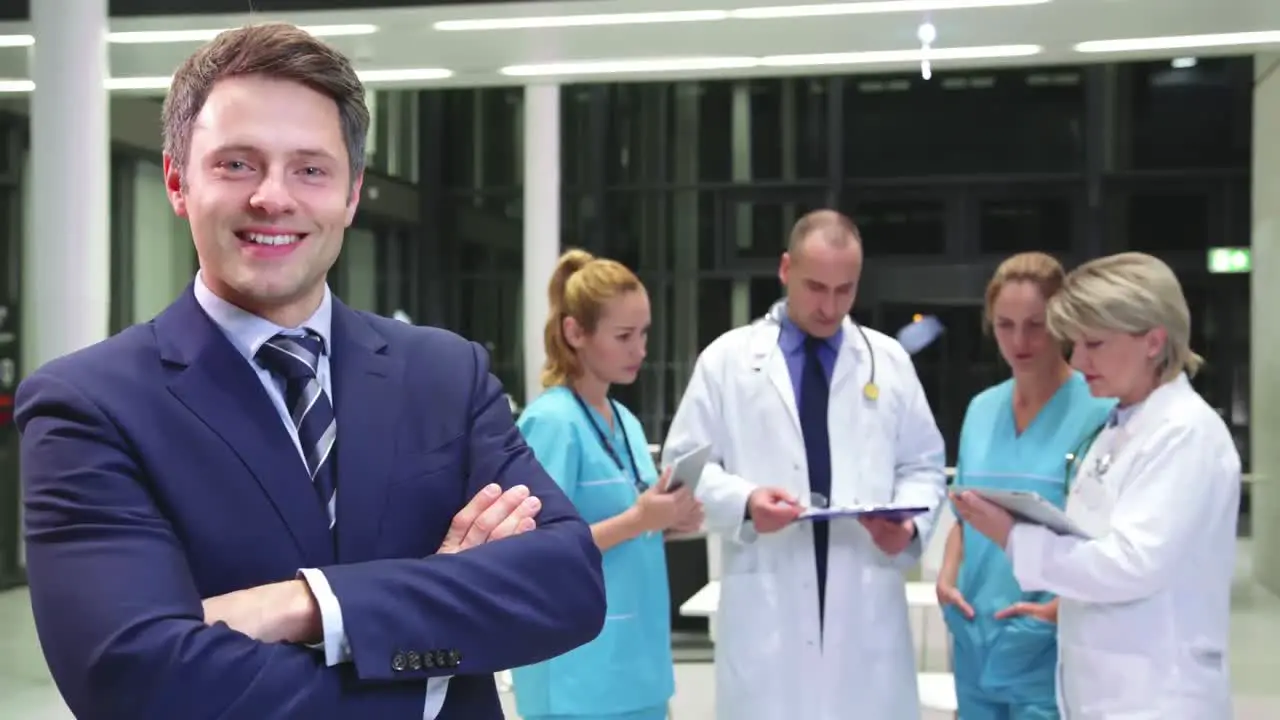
(1265, 345)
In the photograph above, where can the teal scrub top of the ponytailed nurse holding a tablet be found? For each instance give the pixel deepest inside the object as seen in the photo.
(628, 668)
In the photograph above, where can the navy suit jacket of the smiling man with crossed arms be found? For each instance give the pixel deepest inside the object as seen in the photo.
(158, 473)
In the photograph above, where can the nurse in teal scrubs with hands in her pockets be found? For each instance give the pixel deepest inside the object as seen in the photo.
(1020, 435)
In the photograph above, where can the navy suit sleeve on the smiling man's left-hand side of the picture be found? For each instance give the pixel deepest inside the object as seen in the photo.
(118, 614)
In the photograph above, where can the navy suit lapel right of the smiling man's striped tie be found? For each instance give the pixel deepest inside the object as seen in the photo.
(367, 385)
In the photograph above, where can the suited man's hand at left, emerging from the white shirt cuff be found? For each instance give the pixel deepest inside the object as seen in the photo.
(276, 613)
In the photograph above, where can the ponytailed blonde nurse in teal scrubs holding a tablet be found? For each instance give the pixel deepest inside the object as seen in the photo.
(597, 452)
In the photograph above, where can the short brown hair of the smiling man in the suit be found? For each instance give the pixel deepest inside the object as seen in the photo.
(275, 51)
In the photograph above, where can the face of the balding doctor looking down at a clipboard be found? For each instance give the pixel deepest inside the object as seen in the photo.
(822, 282)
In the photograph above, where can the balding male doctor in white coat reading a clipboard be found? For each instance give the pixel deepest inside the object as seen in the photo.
(799, 407)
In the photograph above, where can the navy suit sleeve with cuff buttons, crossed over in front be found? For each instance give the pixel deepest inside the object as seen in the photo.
(502, 605)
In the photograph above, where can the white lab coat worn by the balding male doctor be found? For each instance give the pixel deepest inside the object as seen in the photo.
(770, 660)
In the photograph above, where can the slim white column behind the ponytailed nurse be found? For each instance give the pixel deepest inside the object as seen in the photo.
(542, 222)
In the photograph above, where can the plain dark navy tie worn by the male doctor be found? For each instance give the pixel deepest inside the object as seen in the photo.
(815, 395)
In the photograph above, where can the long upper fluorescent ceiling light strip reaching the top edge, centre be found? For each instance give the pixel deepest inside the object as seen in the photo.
(778, 12)
